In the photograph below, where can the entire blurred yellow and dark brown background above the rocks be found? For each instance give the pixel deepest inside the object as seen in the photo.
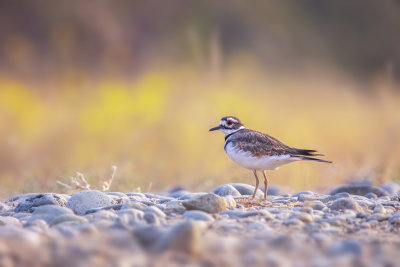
(137, 84)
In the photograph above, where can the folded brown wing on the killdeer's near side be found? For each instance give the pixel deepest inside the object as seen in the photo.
(259, 144)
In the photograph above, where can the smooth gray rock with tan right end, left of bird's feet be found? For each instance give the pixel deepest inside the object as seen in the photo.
(210, 203)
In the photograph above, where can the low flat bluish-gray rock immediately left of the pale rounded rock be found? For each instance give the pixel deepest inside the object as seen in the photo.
(26, 203)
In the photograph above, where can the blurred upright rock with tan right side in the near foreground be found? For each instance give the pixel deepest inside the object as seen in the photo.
(183, 238)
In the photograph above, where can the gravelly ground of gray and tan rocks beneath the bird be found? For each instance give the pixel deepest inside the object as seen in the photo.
(354, 225)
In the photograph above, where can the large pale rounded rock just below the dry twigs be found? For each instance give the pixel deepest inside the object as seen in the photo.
(89, 199)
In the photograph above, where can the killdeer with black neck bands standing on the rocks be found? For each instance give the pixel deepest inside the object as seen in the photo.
(258, 151)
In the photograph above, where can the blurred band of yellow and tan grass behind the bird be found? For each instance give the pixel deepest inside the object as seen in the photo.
(155, 128)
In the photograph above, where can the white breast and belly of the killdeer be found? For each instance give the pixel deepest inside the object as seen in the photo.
(246, 160)
